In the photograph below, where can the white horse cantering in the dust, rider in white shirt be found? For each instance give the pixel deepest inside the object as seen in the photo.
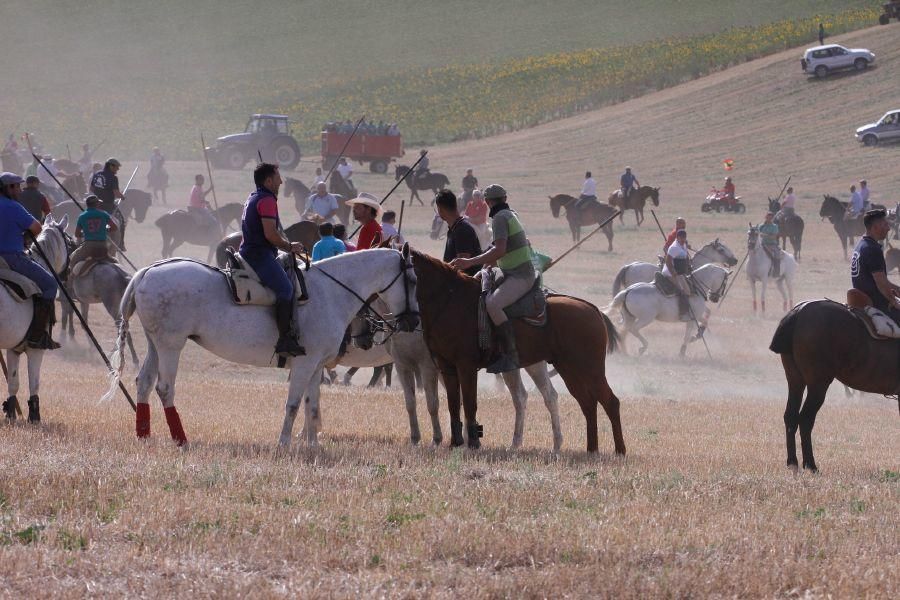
(642, 303)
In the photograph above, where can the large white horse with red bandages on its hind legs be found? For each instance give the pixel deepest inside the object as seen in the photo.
(184, 300)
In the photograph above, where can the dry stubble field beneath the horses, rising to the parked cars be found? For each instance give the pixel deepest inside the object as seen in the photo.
(702, 506)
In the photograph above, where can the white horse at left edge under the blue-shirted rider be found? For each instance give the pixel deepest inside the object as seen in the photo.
(16, 318)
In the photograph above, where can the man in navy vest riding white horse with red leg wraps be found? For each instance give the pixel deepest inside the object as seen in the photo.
(262, 239)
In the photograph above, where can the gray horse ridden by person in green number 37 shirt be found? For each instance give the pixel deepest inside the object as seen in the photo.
(104, 284)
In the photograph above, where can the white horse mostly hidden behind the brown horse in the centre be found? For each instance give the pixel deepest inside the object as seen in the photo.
(411, 357)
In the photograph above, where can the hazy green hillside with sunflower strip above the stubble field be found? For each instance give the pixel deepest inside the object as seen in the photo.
(142, 74)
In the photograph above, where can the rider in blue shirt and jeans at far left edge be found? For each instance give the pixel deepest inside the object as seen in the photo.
(14, 222)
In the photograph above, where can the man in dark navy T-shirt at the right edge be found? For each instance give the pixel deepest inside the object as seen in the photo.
(867, 268)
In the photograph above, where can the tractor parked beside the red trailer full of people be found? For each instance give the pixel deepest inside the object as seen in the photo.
(269, 135)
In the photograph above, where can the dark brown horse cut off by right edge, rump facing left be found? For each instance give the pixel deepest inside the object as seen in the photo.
(821, 341)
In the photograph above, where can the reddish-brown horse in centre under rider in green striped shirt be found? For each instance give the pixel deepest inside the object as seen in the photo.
(576, 340)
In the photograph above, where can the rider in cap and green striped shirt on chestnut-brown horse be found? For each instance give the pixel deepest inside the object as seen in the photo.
(512, 253)
